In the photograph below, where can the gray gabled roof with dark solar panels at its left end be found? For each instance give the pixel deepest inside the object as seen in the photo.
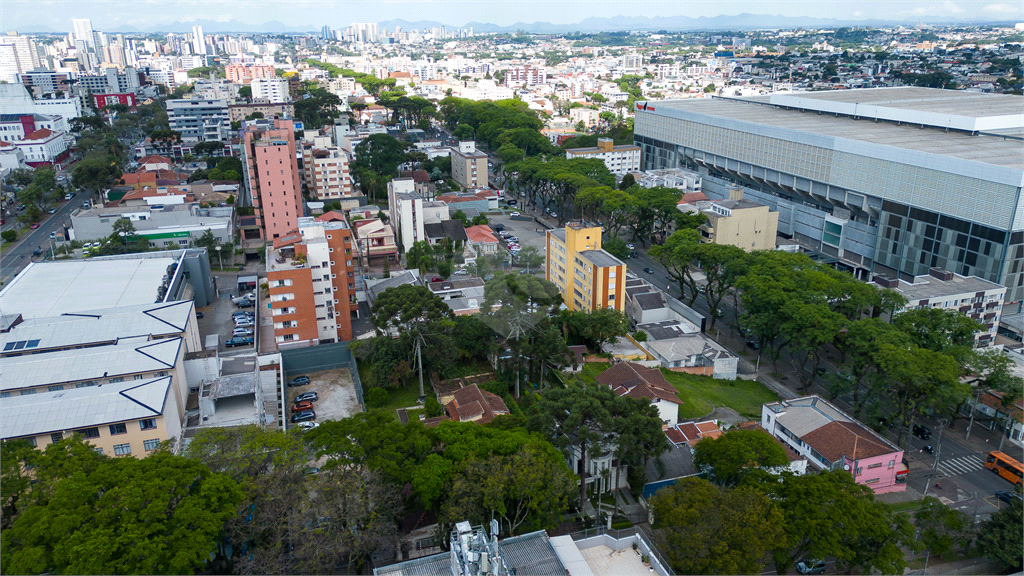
(101, 326)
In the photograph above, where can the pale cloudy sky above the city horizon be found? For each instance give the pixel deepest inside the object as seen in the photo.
(144, 14)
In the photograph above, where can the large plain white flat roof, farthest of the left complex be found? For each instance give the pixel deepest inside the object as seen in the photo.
(49, 290)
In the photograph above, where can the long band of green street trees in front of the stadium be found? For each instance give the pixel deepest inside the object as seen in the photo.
(793, 308)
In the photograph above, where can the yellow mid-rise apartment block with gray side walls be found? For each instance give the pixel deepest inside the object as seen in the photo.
(588, 277)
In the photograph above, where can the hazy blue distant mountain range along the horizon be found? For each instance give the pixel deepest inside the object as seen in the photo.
(591, 25)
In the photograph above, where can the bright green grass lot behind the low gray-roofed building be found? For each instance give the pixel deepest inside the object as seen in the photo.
(743, 396)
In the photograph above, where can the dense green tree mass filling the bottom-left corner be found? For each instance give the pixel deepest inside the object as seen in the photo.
(162, 514)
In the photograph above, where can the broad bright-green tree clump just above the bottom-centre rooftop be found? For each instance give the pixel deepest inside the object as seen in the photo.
(459, 471)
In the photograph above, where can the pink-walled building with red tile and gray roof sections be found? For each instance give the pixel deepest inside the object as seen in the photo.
(833, 440)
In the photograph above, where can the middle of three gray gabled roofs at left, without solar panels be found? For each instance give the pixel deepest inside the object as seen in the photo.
(127, 357)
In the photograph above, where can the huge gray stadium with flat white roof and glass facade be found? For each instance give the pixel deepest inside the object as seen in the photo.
(884, 181)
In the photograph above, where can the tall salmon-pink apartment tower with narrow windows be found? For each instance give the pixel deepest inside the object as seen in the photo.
(273, 172)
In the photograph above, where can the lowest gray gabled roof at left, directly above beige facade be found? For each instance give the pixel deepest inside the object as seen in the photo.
(80, 408)
